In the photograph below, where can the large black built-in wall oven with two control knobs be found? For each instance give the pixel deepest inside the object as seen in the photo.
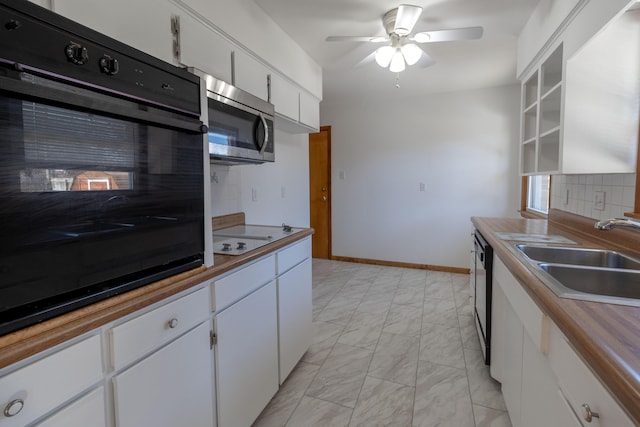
(101, 167)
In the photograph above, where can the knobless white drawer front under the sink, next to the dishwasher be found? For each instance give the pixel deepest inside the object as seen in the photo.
(535, 323)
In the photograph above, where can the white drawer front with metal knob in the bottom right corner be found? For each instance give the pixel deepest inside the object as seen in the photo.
(580, 386)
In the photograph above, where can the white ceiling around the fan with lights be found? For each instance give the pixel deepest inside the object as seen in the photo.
(460, 65)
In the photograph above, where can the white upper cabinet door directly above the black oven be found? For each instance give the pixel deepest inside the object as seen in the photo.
(143, 24)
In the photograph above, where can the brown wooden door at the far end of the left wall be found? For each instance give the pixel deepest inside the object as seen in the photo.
(320, 191)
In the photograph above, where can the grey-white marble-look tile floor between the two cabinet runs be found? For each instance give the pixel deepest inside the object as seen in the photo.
(391, 347)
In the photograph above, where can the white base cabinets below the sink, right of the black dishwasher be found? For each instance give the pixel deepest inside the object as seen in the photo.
(544, 382)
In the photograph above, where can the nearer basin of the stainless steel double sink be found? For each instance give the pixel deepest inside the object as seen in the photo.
(596, 281)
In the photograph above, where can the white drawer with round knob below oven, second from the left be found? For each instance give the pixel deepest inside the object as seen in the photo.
(143, 334)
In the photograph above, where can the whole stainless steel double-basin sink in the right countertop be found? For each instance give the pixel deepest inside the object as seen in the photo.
(588, 274)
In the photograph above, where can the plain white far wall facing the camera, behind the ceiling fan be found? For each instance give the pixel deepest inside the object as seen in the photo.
(463, 146)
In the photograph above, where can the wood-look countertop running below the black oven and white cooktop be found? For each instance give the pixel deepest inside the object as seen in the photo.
(29, 341)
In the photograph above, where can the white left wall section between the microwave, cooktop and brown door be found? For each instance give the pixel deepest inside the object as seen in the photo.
(288, 176)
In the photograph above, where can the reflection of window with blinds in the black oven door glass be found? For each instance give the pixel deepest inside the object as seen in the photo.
(66, 150)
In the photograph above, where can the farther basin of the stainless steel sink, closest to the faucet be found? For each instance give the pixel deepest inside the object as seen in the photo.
(579, 256)
